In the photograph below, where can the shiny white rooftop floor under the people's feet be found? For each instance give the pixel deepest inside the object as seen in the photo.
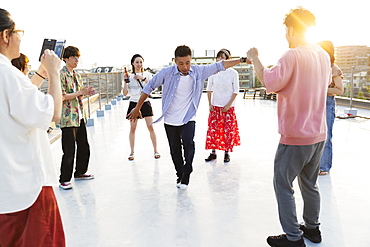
(136, 203)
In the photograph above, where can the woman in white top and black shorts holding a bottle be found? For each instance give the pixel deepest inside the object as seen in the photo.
(133, 85)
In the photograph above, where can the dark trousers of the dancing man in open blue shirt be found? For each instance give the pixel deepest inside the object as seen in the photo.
(181, 137)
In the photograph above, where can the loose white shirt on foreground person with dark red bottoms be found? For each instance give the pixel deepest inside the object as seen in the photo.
(26, 162)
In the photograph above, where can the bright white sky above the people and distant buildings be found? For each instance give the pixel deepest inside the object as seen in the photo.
(110, 32)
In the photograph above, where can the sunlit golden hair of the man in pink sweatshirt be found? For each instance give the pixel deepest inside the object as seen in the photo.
(300, 20)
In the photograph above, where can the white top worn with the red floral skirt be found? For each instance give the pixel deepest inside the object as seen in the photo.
(223, 84)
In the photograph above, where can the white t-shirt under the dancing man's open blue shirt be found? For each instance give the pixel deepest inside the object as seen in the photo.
(181, 102)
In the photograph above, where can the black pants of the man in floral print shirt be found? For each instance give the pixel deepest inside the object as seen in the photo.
(70, 137)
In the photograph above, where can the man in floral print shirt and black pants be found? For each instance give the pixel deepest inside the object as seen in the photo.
(72, 122)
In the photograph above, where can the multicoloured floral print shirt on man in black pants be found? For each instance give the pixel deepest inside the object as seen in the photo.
(70, 82)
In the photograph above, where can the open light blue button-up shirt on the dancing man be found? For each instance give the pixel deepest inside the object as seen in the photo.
(169, 79)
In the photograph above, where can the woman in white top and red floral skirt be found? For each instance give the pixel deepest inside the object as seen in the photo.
(223, 131)
